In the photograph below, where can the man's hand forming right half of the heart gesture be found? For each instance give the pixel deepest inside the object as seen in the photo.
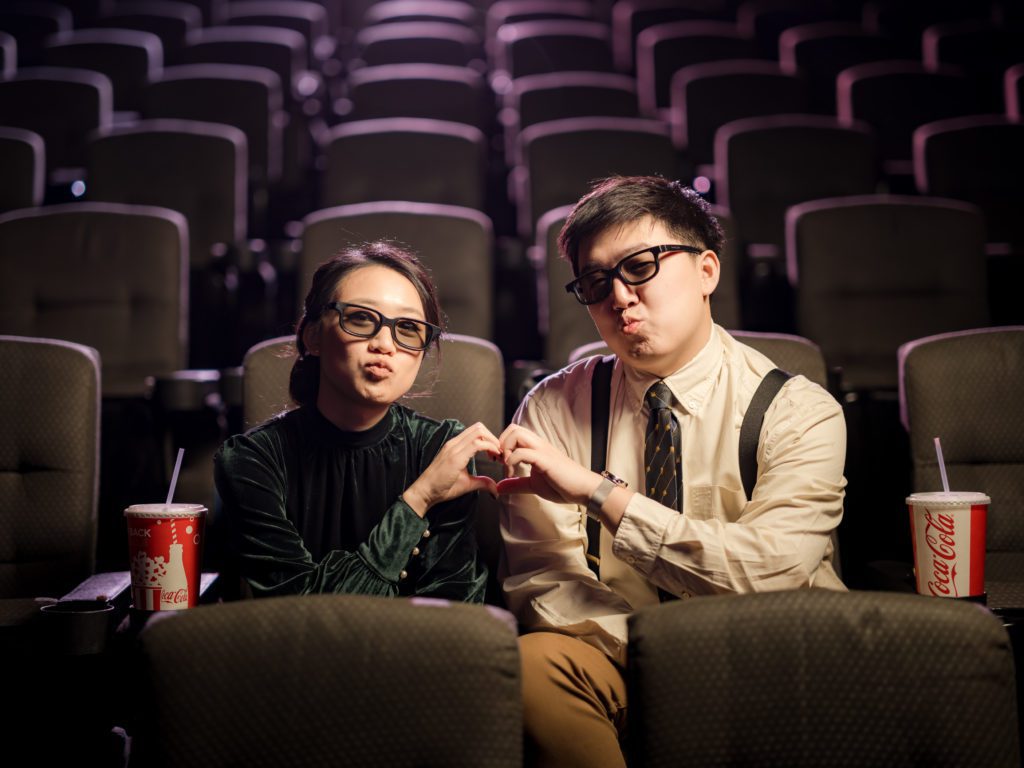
(553, 476)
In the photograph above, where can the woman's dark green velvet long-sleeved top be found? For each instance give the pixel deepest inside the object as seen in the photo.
(310, 508)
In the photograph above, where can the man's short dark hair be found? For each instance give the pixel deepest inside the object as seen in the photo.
(623, 200)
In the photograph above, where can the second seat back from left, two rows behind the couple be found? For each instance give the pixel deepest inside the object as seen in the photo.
(143, 163)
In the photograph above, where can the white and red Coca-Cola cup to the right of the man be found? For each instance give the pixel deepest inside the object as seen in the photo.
(949, 534)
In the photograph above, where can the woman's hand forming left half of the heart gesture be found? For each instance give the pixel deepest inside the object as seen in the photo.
(447, 478)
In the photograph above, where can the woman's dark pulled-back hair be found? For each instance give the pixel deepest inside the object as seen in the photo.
(305, 382)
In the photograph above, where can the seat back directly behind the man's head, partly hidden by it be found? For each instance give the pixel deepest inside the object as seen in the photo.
(566, 325)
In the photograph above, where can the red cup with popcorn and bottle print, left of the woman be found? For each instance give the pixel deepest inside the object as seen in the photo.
(165, 550)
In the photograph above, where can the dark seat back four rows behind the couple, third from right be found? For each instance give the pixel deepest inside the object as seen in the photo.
(666, 49)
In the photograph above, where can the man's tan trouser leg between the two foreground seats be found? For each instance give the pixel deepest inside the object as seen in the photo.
(574, 704)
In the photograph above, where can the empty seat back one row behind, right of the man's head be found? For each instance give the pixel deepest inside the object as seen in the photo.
(872, 273)
